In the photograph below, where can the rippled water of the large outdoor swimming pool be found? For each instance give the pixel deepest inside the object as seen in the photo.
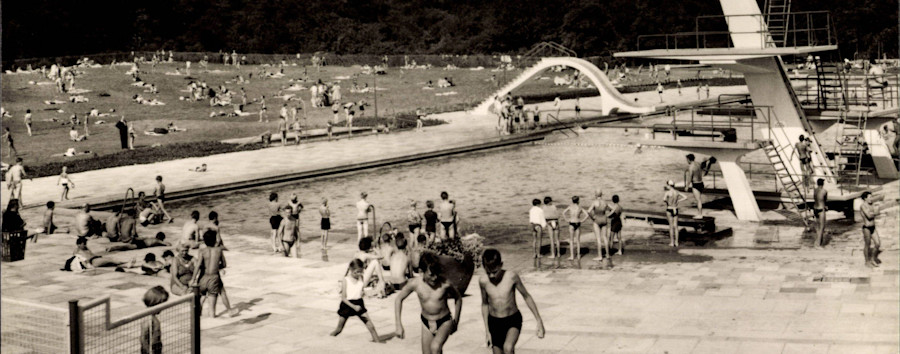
(493, 189)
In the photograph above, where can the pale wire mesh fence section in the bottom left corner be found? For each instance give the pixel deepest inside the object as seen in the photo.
(32, 328)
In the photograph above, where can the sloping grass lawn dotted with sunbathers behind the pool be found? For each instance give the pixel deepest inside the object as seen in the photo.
(400, 93)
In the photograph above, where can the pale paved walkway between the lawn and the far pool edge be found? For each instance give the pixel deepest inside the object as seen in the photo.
(462, 130)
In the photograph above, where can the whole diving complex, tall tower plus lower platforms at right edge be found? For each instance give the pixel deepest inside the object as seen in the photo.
(776, 118)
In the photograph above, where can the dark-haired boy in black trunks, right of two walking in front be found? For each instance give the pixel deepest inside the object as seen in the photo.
(502, 320)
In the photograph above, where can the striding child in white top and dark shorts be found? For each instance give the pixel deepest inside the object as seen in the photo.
(351, 299)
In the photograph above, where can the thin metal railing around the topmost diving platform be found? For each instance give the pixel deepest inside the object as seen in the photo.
(807, 28)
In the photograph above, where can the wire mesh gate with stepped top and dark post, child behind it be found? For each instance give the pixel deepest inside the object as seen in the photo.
(165, 328)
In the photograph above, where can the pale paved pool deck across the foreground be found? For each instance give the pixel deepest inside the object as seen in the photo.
(655, 299)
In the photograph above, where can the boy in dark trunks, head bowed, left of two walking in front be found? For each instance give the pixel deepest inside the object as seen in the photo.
(433, 290)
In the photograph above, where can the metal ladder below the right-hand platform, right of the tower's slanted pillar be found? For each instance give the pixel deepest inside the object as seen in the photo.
(851, 146)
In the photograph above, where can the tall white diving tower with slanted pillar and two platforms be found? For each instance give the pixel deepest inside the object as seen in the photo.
(752, 48)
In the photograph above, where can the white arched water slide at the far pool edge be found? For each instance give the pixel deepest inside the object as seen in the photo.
(611, 100)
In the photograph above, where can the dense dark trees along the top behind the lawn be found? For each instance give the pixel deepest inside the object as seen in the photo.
(43, 28)
